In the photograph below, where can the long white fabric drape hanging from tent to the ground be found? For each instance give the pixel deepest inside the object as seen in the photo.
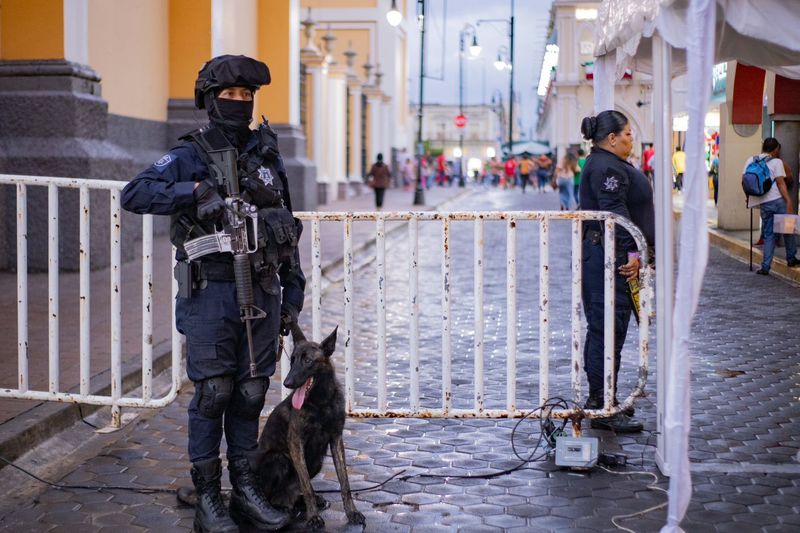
(692, 260)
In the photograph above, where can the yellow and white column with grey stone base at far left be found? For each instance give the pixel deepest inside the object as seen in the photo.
(54, 122)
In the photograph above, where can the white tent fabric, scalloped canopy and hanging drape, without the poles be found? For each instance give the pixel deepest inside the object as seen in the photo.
(756, 32)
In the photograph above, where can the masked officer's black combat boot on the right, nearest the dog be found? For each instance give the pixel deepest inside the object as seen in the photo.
(248, 503)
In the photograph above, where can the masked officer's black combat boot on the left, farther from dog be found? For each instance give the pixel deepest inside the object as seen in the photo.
(209, 513)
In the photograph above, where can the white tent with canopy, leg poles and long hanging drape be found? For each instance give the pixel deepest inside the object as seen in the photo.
(666, 38)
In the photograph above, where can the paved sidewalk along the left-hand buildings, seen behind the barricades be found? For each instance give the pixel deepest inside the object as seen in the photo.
(24, 423)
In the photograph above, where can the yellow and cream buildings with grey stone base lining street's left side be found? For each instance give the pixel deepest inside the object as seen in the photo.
(100, 89)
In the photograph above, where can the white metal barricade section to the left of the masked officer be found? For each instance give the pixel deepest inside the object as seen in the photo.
(54, 393)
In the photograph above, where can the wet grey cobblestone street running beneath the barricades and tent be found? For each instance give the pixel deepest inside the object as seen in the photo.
(744, 444)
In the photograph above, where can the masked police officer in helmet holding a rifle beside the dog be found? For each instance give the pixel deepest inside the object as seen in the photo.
(226, 191)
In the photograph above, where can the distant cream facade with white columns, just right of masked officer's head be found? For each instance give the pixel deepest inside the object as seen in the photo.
(355, 89)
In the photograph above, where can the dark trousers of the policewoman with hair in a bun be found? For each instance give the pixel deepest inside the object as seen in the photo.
(593, 307)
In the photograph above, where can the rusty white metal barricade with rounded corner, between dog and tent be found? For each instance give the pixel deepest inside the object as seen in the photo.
(414, 219)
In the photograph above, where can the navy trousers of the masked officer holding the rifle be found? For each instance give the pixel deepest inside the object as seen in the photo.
(217, 346)
